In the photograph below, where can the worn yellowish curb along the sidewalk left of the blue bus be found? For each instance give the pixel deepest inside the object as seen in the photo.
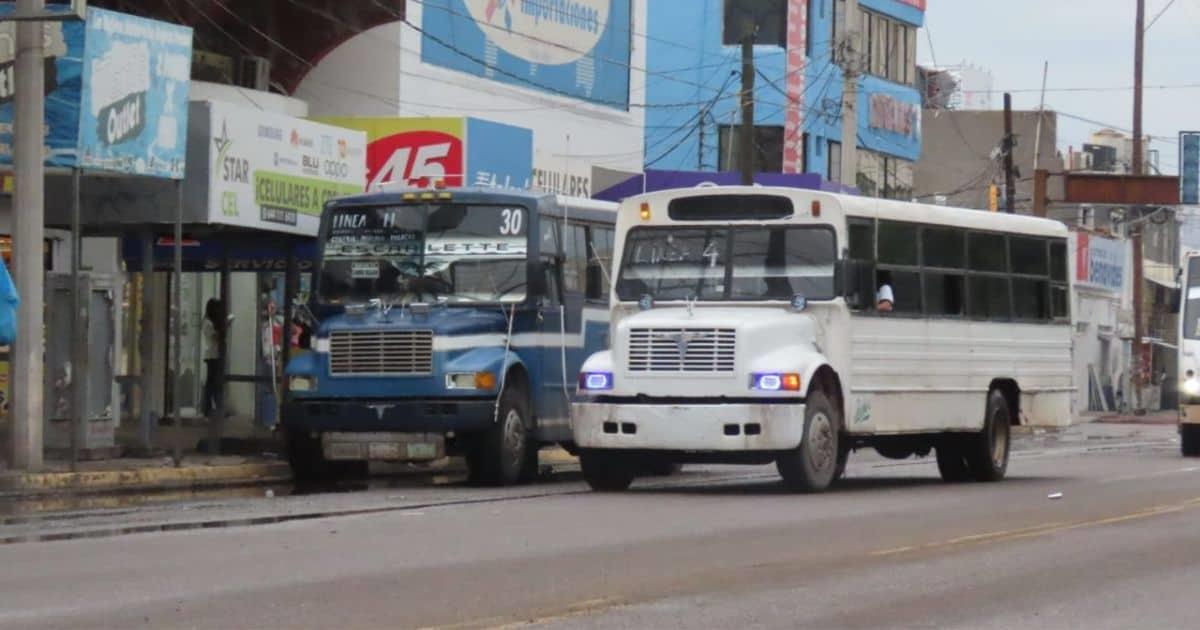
(146, 479)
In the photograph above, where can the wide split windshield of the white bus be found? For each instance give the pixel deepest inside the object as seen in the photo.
(725, 263)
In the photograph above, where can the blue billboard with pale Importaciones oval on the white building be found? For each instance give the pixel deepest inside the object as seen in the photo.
(575, 49)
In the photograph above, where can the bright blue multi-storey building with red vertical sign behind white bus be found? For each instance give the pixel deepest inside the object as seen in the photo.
(694, 62)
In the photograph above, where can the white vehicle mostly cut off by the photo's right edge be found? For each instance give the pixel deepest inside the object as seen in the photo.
(1190, 358)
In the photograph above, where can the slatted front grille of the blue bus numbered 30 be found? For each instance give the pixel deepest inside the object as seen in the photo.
(381, 352)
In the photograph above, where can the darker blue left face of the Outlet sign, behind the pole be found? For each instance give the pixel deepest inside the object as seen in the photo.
(64, 85)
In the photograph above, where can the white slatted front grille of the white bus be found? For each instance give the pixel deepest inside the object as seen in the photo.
(663, 350)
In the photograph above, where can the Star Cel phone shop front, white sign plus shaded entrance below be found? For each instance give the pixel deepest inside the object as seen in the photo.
(251, 206)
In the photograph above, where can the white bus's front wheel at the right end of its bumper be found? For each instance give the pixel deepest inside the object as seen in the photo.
(813, 467)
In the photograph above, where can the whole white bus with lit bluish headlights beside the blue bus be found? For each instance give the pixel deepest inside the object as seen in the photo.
(748, 328)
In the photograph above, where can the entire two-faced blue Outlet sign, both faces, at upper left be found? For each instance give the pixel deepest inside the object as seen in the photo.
(117, 94)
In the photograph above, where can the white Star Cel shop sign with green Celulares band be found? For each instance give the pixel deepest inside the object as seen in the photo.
(274, 172)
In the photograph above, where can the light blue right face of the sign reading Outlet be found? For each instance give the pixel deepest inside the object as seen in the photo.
(136, 81)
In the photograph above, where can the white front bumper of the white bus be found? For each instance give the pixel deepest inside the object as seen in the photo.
(689, 428)
